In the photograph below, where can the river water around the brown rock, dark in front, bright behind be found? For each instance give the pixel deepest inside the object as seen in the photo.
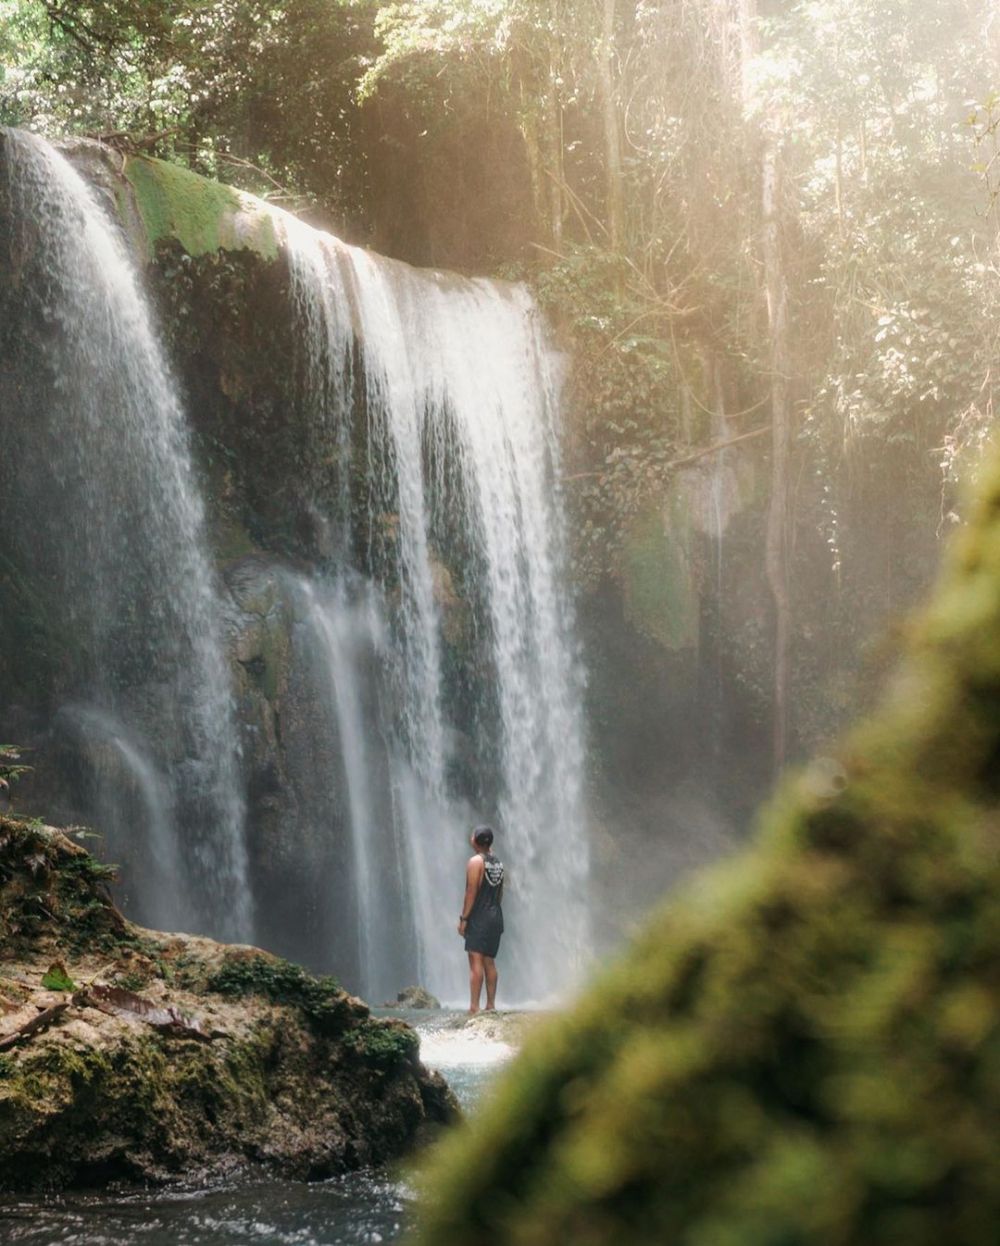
(361, 1208)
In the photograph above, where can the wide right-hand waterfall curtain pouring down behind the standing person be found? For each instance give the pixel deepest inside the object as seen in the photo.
(449, 389)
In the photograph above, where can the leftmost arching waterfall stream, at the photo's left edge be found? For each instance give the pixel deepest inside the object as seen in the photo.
(109, 511)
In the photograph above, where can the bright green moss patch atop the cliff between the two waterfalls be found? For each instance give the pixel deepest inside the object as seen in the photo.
(201, 215)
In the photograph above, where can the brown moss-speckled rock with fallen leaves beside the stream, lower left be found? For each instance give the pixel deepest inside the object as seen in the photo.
(126, 1055)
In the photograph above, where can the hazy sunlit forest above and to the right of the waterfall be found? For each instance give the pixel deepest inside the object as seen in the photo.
(764, 229)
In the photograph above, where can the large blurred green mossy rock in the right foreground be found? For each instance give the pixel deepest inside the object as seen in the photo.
(808, 1049)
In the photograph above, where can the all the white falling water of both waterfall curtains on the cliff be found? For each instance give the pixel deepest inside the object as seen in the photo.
(433, 636)
